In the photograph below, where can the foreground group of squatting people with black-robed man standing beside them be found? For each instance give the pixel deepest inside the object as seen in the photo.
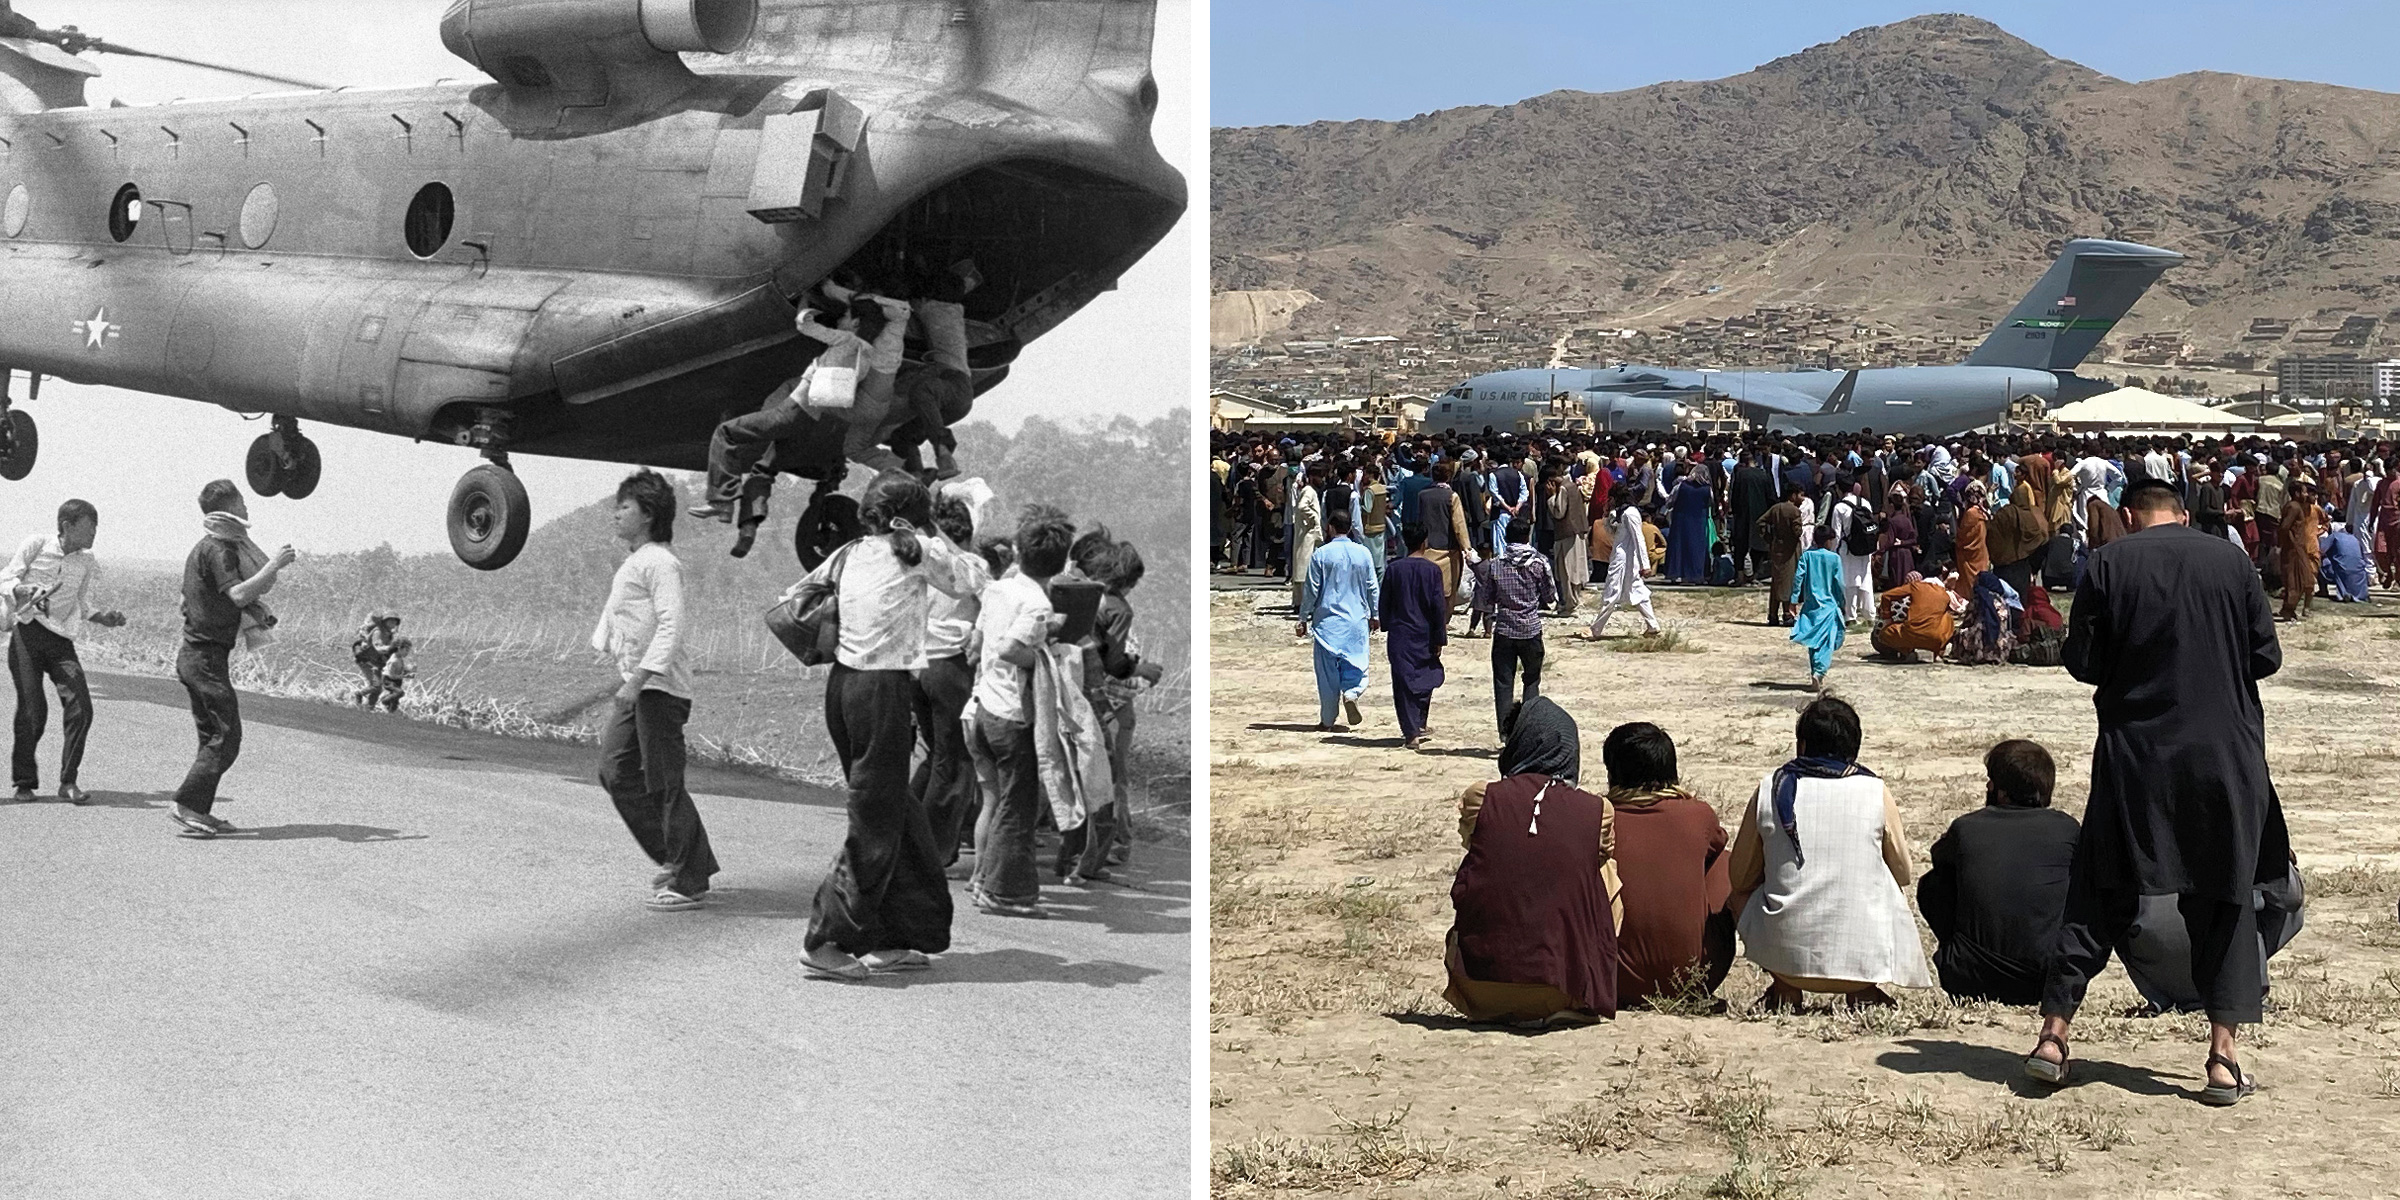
(1576, 901)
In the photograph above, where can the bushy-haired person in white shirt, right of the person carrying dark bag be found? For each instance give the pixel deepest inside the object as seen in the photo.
(1016, 620)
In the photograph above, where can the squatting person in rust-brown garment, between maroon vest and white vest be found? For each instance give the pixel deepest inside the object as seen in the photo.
(1674, 932)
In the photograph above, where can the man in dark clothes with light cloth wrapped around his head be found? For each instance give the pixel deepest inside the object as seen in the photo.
(222, 577)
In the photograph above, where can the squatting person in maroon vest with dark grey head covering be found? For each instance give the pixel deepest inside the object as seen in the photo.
(1535, 940)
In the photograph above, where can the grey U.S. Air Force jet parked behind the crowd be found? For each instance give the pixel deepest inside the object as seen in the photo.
(2032, 354)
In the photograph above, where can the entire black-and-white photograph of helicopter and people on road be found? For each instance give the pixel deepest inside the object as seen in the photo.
(599, 596)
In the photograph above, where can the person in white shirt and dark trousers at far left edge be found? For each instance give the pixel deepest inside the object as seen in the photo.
(44, 592)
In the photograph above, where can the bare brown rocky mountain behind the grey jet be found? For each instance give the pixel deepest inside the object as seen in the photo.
(1916, 174)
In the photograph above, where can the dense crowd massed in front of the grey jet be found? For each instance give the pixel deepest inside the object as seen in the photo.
(1931, 546)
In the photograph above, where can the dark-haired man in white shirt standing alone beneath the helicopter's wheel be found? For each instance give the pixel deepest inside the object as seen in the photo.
(642, 752)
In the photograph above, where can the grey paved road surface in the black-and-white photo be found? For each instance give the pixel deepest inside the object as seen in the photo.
(426, 971)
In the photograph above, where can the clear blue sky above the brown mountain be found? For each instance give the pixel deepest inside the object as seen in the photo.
(1290, 64)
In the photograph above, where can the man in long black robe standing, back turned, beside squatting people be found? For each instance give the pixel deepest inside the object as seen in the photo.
(2173, 632)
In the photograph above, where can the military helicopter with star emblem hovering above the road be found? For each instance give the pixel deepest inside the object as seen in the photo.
(594, 253)
